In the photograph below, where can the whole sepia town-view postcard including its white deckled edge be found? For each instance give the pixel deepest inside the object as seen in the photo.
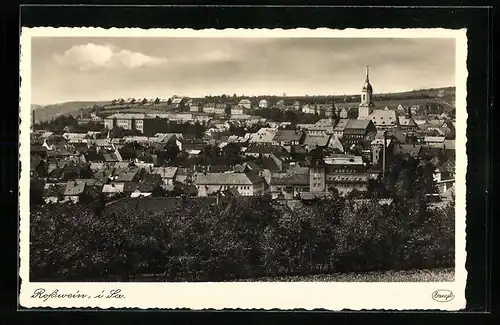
(240, 159)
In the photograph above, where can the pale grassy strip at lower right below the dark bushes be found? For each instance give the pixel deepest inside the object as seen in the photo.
(431, 275)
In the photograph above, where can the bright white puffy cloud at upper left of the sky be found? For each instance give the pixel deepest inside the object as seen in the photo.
(92, 56)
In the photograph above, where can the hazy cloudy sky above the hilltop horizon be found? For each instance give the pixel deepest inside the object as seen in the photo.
(98, 68)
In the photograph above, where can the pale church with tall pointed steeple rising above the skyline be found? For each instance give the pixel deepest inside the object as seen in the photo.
(381, 118)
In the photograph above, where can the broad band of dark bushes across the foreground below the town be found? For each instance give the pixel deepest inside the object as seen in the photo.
(237, 238)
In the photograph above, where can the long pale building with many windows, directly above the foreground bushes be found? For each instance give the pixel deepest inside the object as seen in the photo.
(247, 184)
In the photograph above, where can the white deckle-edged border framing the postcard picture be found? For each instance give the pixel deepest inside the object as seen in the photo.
(308, 296)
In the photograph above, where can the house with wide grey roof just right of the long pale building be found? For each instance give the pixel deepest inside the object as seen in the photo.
(289, 185)
